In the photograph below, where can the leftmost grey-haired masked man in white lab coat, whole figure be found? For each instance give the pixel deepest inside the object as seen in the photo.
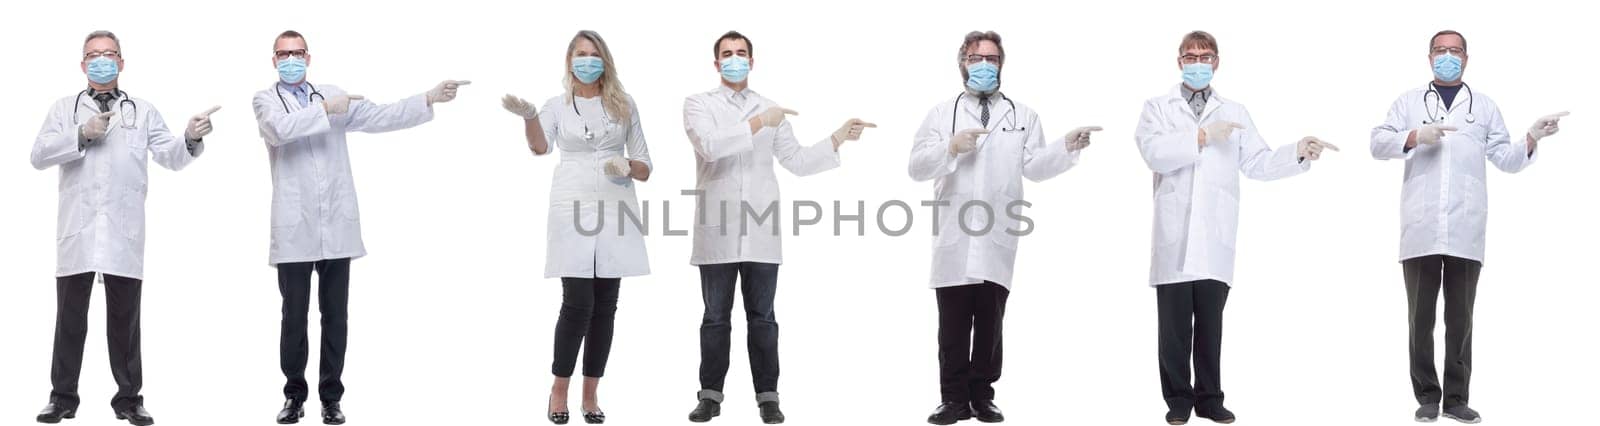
(102, 140)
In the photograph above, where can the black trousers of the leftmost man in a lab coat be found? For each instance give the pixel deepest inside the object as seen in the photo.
(122, 339)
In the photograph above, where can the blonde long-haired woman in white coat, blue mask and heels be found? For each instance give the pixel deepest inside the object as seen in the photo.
(590, 247)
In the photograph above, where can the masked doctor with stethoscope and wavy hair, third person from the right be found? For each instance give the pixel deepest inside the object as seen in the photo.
(977, 150)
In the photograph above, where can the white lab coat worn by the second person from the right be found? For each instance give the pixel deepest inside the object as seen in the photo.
(1198, 190)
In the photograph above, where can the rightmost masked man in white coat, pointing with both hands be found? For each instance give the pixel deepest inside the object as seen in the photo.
(1446, 132)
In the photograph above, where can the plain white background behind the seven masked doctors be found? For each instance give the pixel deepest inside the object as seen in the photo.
(452, 321)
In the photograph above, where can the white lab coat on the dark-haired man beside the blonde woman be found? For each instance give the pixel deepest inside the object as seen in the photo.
(735, 169)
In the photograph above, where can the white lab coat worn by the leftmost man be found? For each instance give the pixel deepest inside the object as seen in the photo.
(100, 215)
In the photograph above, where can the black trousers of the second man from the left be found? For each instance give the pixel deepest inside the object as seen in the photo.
(334, 299)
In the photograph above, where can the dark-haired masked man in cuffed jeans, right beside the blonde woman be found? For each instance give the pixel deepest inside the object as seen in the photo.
(737, 137)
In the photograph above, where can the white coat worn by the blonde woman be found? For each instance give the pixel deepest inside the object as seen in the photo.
(618, 251)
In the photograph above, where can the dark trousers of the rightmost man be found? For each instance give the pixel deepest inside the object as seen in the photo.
(1425, 278)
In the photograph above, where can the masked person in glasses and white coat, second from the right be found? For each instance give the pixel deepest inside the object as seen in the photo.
(1198, 145)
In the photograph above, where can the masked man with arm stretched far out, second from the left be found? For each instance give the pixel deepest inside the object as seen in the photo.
(316, 222)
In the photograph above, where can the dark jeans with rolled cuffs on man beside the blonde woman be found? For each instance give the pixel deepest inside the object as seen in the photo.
(761, 289)
